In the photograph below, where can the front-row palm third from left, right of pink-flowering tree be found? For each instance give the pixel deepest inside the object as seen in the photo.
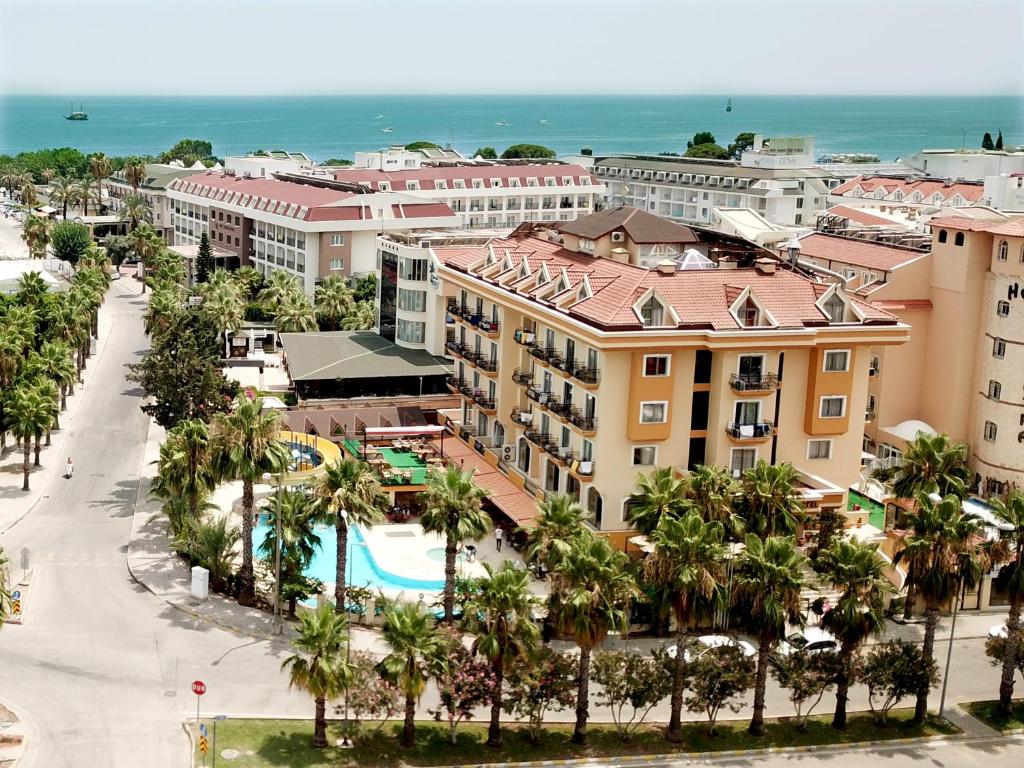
(499, 615)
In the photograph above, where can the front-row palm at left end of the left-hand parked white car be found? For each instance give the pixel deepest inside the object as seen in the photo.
(689, 566)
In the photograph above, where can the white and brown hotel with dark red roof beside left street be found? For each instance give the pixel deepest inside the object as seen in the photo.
(310, 230)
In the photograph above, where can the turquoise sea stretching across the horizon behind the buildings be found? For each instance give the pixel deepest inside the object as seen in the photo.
(337, 126)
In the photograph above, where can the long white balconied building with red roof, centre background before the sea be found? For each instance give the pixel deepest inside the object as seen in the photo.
(490, 195)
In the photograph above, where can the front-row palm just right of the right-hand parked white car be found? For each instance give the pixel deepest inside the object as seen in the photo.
(856, 570)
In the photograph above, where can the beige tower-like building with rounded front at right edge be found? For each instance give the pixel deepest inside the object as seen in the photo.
(963, 371)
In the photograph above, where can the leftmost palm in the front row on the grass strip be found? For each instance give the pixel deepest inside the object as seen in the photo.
(319, 665)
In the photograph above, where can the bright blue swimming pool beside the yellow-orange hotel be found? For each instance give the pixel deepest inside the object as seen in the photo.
(363, 569)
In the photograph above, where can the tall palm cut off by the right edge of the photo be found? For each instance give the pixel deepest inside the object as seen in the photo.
(1011, 511)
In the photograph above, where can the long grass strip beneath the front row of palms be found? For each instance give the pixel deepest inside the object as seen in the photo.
(270, 744)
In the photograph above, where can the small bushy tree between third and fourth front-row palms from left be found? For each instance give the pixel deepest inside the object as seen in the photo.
(546, 681)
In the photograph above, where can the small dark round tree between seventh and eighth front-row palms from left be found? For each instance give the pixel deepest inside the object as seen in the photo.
(892, 672)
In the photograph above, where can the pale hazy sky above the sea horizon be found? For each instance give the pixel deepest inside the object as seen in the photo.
(511, 47)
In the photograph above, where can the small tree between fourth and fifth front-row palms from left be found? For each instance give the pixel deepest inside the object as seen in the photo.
(628, 678)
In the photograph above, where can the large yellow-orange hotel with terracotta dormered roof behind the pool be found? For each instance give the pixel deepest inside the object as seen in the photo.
(579, 372)
